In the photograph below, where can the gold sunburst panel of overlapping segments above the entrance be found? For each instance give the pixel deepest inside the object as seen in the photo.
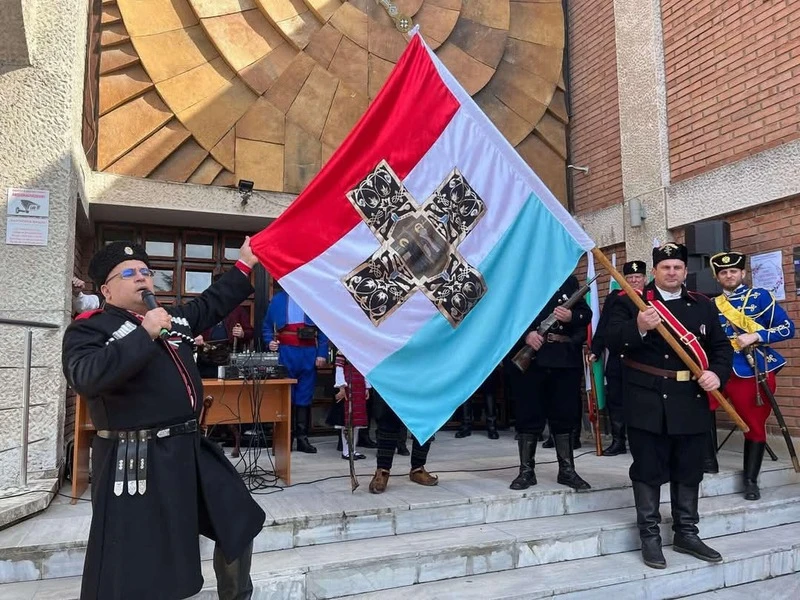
(213, 91)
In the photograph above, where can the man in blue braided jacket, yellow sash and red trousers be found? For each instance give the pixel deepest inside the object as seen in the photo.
(752, 320)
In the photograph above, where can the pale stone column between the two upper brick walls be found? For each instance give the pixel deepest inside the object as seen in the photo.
(643, 121)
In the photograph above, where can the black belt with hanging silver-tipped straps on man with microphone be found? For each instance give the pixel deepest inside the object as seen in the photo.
(131, 463)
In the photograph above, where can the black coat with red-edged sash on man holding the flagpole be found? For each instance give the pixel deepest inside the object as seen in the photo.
(658, 404)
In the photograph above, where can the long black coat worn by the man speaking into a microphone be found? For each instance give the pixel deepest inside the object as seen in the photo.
(146, 546)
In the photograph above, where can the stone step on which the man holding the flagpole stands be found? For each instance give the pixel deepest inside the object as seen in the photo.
(748, 557)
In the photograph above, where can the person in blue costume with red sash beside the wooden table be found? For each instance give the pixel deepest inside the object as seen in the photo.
(302, 348)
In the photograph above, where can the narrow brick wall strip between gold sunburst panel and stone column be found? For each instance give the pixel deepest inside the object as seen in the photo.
(594, 122)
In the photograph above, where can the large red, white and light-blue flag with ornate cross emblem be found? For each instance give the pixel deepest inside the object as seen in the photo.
(425, 246)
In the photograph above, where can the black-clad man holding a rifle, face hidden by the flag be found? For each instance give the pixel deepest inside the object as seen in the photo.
(550, 390)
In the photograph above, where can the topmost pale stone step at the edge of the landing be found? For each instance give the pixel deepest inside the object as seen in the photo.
(53, 544)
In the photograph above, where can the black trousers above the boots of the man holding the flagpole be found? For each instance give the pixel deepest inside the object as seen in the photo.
(660, 457)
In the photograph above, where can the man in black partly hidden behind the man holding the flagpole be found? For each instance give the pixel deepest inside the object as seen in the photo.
(634, 272)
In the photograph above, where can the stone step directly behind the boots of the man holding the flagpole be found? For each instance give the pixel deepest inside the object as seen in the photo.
(330, 571)
